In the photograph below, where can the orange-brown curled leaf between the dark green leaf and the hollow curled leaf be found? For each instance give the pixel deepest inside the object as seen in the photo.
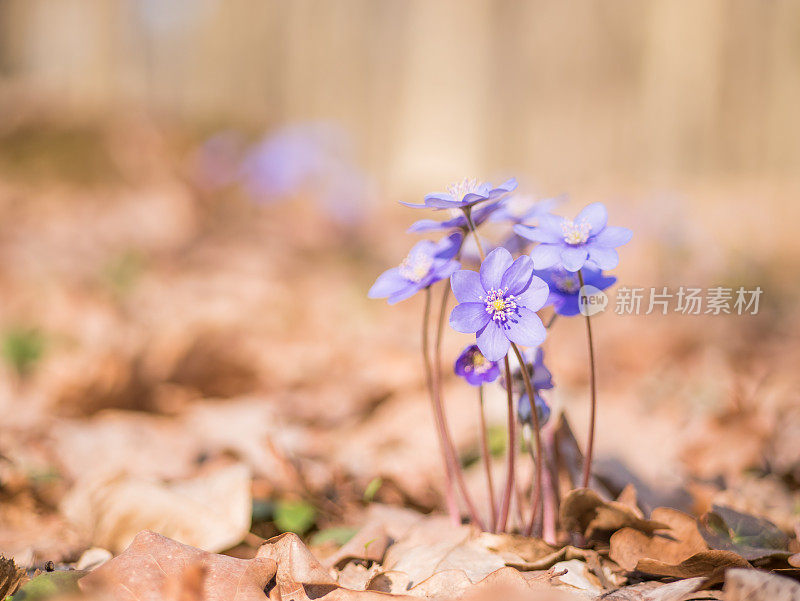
(678, 543)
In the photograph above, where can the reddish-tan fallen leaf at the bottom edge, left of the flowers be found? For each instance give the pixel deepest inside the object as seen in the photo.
(153, 562)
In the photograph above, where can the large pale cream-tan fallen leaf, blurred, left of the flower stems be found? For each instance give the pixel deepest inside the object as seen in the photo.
(211, 512)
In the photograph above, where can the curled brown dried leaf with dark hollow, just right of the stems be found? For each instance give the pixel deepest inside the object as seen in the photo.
(585, 512)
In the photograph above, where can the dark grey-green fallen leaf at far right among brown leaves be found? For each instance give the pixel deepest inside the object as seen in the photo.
(751, 537)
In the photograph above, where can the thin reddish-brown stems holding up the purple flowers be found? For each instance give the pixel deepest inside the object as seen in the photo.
(454, 476)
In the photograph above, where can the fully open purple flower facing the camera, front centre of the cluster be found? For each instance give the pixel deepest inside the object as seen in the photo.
(499, 304)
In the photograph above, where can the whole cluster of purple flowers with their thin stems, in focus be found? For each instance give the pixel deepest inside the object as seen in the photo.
(499, 301)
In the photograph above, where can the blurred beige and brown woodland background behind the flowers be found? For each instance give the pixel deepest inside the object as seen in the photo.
(195, 197)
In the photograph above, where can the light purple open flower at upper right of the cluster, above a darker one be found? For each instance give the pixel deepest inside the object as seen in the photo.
(572, 243)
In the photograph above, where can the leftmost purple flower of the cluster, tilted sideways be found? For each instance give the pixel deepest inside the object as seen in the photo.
(426, 263)
